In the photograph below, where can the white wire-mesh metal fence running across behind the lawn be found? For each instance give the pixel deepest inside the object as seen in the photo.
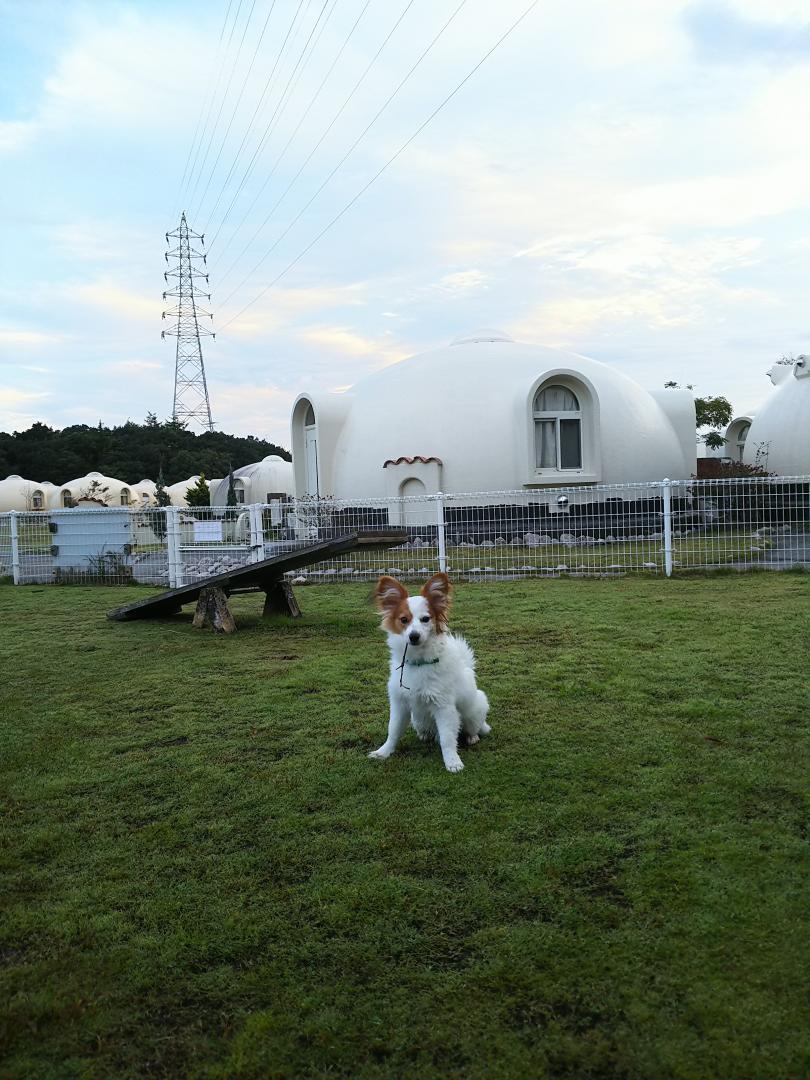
(661, 528)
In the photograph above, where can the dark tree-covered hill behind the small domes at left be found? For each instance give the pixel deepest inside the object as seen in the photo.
(130, 453)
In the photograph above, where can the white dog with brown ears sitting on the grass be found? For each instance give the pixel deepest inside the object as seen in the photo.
(433, 681)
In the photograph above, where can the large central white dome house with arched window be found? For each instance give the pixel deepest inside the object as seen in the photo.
(490, 414)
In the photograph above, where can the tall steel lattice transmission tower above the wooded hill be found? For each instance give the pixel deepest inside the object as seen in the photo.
(191, 390)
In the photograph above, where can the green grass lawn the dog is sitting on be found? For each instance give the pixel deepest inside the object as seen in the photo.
(204, 875)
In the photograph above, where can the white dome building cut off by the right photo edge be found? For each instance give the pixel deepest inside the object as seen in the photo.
(779, 436)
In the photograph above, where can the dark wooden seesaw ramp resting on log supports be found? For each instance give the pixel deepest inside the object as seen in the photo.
(267, 577)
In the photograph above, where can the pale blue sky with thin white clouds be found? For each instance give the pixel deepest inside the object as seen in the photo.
(626, 181)
